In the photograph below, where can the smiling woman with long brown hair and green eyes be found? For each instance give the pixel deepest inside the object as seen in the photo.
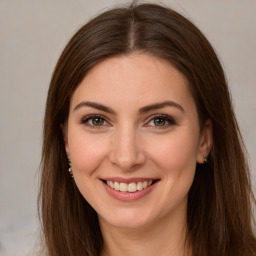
(139, 112)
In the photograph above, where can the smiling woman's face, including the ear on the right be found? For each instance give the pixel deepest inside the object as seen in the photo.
(133, 138)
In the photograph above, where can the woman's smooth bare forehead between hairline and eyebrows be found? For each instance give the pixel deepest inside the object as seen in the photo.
(136, 78)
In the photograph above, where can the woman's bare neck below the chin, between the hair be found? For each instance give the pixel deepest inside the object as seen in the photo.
(163, 238)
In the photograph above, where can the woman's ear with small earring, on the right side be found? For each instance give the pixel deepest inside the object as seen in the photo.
(205, 142)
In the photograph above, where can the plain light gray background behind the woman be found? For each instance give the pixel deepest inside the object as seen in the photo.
(33, 34)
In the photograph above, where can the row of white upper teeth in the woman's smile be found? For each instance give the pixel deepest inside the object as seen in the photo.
(131, 187)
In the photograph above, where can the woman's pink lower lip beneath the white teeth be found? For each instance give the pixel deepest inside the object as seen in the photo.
(128, 196)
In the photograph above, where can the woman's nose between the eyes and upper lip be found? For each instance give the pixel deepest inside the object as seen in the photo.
(127, 151)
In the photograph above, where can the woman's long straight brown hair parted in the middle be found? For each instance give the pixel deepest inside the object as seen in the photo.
(219, 213)
